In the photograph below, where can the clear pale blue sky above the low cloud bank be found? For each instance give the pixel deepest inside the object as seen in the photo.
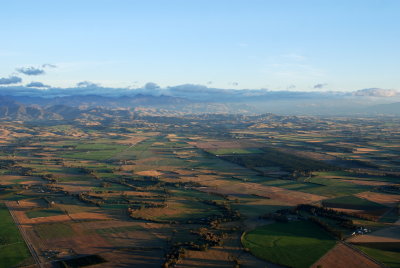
(249, 44)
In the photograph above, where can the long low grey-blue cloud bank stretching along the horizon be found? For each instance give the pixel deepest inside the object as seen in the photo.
(193, 92)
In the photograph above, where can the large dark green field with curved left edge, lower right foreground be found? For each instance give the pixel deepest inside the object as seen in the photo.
(294, 244)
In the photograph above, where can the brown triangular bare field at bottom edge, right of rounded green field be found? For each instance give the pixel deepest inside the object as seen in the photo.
(344, 256)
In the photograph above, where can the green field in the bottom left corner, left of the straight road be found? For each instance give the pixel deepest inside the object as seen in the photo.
(13, 250)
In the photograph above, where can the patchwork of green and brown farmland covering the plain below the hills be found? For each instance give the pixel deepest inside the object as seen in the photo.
(184, 191)
